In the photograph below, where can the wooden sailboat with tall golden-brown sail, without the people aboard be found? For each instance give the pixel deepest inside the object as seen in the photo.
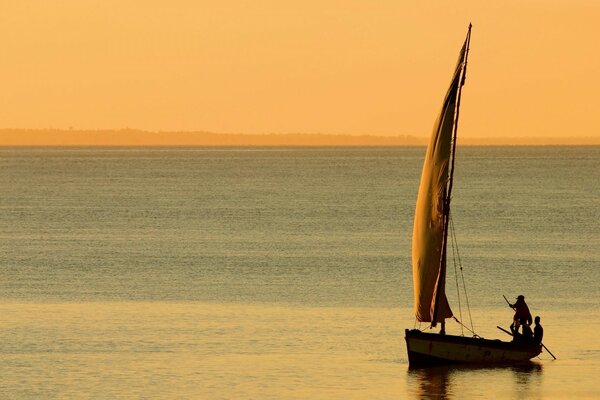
(429, 251)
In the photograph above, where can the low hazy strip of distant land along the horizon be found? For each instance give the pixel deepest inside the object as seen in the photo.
(139, 138)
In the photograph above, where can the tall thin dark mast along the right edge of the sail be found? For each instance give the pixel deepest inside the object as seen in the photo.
(448, 190)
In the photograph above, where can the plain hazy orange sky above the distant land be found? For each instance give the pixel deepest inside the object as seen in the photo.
(261, 66)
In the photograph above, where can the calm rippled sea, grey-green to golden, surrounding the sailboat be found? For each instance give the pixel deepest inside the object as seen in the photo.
(284, 273)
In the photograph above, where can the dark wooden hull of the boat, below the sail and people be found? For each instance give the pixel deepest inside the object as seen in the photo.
(429, 349)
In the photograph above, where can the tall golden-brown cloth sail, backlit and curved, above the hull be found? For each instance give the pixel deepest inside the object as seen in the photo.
(429, 236)
